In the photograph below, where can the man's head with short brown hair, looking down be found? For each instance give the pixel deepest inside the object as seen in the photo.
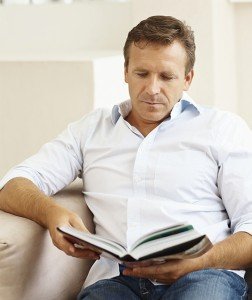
(159, 57)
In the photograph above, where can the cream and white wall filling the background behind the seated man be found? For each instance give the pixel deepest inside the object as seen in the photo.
(41, 91)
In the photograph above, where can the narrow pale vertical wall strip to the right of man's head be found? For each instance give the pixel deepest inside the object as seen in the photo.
(225, 73)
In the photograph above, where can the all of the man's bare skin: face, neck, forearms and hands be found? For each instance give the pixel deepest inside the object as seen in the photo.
(153, 96)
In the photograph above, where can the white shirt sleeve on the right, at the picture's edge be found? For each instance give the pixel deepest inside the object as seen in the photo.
(235, 174)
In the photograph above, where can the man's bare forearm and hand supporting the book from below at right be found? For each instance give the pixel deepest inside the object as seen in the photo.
(235, 253)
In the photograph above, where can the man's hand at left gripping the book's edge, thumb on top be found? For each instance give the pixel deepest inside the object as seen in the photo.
(59, 216)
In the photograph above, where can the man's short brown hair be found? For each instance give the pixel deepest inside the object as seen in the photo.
(162, 30)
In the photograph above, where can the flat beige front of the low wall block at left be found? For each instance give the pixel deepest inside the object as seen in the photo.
(37, 101)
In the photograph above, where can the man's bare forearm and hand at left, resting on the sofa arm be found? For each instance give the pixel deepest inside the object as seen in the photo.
(21, 197)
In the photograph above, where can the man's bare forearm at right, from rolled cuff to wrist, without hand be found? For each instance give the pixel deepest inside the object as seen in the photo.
(233, 253)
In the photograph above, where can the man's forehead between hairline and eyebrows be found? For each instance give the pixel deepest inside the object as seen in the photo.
(157, 56)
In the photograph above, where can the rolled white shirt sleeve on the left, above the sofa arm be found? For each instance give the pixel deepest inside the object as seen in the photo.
(58, 162)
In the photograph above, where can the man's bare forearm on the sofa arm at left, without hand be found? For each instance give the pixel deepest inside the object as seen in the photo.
(23, 198)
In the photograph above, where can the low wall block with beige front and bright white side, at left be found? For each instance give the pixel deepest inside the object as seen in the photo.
(39, 97)
